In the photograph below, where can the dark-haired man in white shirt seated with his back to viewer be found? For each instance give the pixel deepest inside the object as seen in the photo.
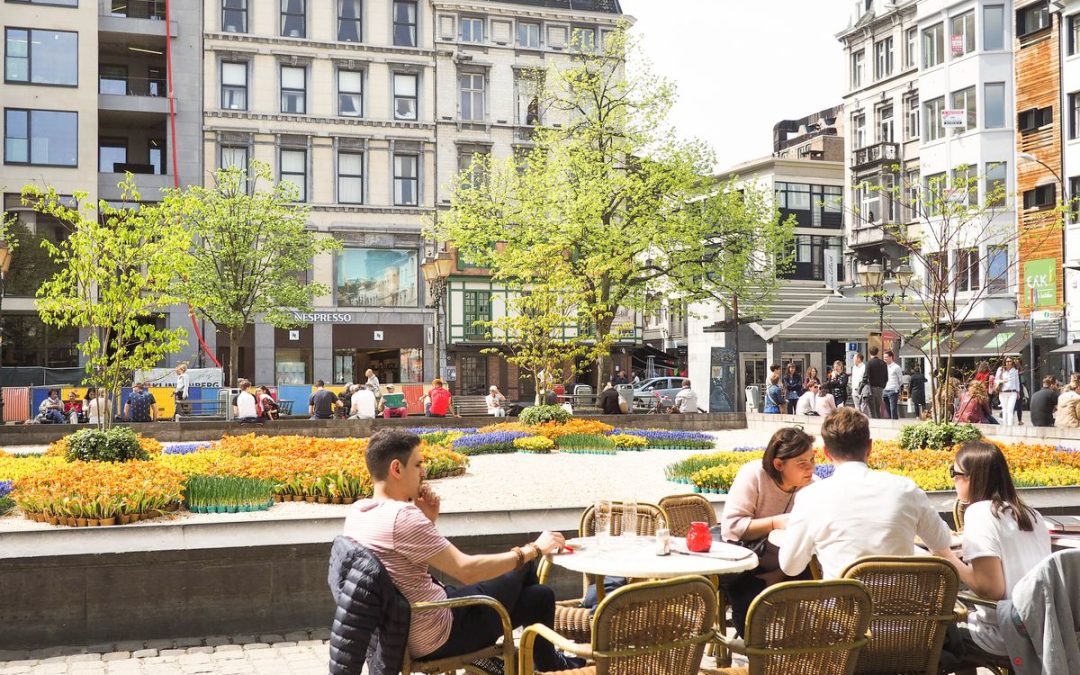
(857, 512)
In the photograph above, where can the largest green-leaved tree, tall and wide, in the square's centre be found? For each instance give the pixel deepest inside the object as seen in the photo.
(610, 201)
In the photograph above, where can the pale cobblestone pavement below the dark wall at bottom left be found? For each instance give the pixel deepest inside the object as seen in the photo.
(293, 654)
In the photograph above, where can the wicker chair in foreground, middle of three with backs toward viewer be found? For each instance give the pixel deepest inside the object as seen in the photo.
(804, 628)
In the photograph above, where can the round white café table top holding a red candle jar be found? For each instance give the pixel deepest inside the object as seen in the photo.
(637, 559)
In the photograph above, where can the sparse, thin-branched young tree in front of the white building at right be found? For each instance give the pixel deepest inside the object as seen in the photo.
(963, 252)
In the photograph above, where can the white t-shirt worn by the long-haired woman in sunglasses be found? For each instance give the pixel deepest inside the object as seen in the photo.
(990, 536)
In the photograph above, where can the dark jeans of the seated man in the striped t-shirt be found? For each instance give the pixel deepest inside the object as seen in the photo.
(528, 602)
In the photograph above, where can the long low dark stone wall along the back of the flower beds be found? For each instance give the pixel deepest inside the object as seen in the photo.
(44, 435)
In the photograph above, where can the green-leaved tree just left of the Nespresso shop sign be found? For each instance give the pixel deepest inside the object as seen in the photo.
(251, 252)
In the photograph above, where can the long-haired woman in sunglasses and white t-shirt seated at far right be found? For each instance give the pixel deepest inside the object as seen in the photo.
(1004, 539)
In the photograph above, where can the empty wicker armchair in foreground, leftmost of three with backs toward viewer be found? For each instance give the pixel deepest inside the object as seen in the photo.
(655, 628)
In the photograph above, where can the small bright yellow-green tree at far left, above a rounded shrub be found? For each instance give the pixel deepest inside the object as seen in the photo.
(117, 273)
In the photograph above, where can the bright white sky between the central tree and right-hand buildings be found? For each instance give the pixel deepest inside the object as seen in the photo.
(741, 67)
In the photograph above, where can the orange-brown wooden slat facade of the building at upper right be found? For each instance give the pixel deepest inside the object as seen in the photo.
(1037, 64)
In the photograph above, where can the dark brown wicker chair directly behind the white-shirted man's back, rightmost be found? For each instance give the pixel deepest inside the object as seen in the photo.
(914, 604)
